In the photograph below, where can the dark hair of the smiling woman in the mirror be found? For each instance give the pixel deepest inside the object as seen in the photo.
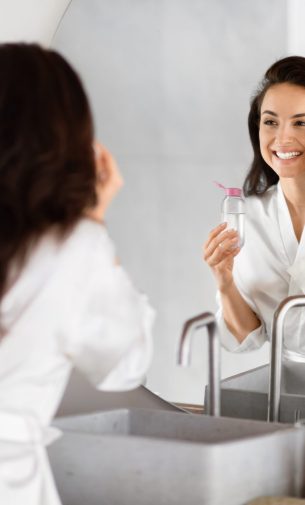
(287, 70)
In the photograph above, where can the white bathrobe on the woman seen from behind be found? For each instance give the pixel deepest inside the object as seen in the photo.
(70, 306)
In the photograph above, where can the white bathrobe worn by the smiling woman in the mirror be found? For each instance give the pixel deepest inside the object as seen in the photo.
(270, 267)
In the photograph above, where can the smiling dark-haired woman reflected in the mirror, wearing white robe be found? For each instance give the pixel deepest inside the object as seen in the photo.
(271, 265)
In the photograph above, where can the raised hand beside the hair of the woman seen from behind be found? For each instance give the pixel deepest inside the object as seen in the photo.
(108, 182)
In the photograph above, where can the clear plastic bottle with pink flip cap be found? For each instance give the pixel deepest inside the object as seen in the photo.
(233, 210)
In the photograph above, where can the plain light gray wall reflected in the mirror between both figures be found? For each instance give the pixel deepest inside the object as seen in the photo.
(170, 82)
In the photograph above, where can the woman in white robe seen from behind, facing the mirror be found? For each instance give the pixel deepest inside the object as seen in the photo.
(64, 300)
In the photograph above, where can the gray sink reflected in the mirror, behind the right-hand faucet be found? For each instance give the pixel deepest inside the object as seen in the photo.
(246, 395)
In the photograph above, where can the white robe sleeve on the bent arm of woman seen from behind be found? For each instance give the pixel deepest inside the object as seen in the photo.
(108, 326)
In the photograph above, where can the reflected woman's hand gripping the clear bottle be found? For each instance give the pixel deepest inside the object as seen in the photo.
(219, 252)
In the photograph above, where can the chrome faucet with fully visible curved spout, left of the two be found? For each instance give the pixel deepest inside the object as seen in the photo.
(189, 327)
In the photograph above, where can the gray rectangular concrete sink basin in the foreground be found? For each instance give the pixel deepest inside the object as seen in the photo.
(149, 457)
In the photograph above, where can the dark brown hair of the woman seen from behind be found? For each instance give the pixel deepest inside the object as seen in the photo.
(47, 168)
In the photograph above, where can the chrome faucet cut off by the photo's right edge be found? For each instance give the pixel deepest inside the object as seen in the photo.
(276, 354)
